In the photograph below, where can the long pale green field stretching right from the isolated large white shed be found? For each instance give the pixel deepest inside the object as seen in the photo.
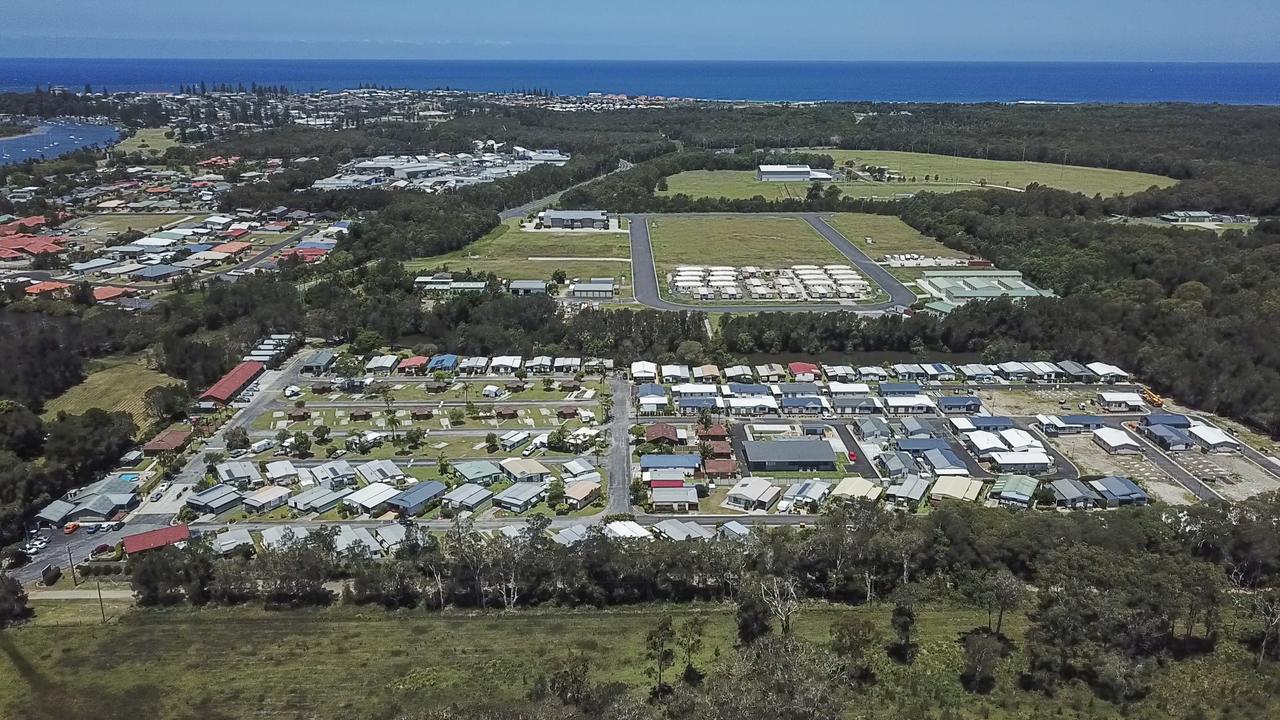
(996, 174)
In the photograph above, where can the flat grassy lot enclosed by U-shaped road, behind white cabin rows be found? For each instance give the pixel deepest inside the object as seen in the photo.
(738, 240)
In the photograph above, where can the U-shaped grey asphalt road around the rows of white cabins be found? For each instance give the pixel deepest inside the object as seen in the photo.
(644, 274)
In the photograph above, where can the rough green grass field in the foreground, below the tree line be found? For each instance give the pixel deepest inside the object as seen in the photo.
(364, 663)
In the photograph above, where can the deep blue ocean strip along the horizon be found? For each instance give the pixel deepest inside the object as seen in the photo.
(1237, 84)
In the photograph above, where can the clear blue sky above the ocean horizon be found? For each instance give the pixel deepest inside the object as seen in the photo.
(764, 30)
